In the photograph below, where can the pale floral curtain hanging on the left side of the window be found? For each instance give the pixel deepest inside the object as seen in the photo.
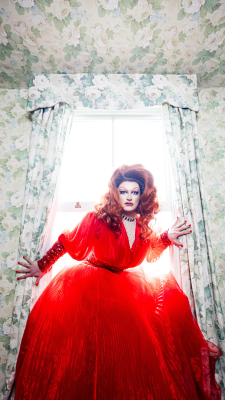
(49, 130)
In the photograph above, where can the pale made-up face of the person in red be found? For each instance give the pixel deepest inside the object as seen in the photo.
(129, 194)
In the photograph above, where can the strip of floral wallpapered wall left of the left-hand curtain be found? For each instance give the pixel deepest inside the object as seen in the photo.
(15, 130)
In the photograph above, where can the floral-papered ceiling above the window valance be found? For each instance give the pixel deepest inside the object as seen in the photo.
(97, 36)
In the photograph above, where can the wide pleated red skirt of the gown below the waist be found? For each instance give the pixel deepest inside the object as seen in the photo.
(95, 334)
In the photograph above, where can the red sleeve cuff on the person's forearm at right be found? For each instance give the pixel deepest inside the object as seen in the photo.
(157, 246)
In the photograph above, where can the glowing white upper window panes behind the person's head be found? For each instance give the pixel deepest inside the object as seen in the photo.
(96, 147)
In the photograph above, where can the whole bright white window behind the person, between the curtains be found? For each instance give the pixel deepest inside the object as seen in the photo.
(100, 141)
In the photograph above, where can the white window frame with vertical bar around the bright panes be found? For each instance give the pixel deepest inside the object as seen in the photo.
(153, 114)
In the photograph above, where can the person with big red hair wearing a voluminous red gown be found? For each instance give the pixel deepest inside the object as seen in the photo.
(103, 328)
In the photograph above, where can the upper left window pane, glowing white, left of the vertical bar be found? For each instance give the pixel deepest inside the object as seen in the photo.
(87, 163)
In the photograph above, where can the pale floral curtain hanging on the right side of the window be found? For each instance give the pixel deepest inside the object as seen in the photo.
(199, 279)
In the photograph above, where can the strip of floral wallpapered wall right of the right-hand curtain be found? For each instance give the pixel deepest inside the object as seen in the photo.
(211, 160)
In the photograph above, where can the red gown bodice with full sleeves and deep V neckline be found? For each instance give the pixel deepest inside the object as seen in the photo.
(93, 239)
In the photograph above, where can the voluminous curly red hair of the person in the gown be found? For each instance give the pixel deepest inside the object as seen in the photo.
(110, 210)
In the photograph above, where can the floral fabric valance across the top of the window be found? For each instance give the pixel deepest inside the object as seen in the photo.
(113, 91)
